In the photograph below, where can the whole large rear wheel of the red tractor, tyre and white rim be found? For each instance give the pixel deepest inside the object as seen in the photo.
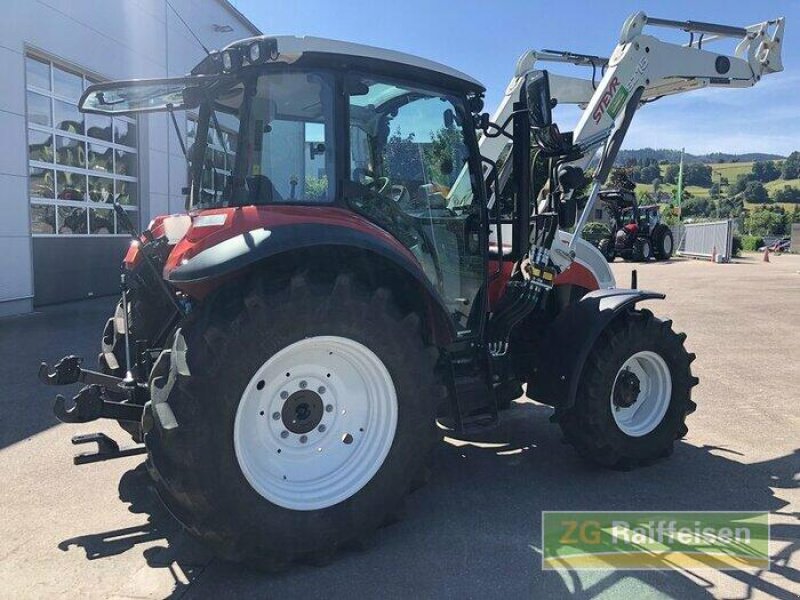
(304, 415)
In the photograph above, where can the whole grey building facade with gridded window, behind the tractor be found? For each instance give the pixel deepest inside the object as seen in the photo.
(60, 169)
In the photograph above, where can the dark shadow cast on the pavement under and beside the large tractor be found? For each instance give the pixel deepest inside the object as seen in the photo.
(475, 529)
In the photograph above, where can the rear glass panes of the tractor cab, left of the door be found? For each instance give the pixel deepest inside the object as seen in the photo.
(264, 140)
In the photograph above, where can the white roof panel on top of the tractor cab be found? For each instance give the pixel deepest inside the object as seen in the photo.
(293, 48)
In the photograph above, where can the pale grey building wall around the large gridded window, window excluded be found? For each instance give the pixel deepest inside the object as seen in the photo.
(115, 39)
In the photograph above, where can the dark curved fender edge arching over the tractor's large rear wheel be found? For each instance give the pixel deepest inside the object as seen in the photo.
(240, 251)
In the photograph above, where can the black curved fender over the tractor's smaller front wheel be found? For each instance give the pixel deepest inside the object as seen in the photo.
(569, 340)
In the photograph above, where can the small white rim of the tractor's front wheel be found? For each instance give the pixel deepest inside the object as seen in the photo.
(655, 393)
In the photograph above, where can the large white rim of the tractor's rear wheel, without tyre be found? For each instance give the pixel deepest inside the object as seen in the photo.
(346, 447)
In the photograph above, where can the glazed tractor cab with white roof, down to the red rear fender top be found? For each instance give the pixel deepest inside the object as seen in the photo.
(299, 131)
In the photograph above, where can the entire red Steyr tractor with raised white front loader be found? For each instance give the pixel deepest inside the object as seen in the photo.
(286, 348)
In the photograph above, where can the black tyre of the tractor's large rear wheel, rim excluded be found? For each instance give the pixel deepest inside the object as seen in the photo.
(195, 466)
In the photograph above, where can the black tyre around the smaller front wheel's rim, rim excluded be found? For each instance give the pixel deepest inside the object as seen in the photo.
(590, 425)
